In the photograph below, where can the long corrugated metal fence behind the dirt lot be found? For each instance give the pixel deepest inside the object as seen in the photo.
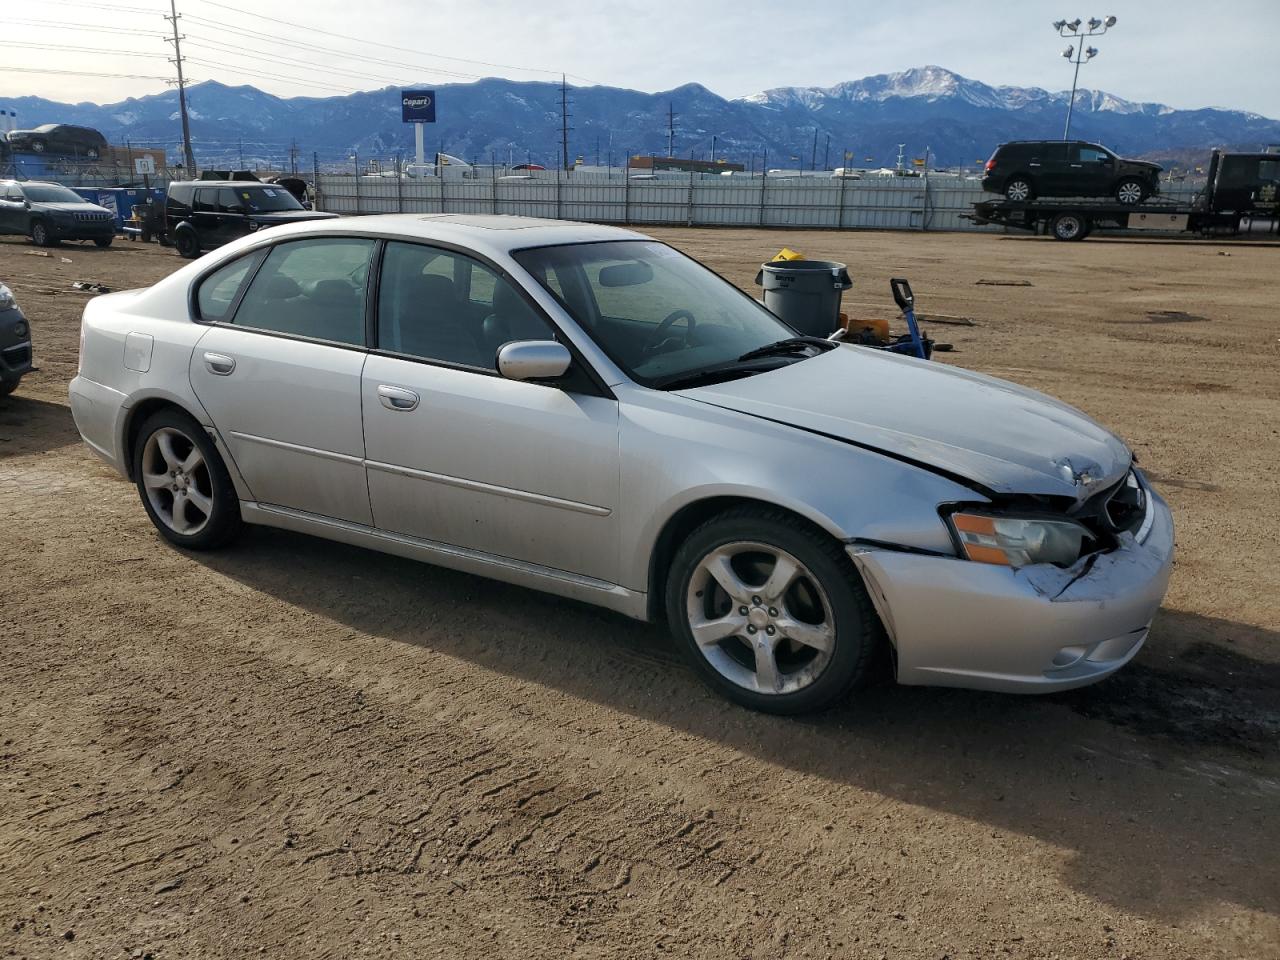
(888, 204)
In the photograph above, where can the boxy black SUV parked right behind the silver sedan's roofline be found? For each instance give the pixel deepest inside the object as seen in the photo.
(204, 214)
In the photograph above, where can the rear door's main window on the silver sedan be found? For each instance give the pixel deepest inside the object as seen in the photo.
(312, 289)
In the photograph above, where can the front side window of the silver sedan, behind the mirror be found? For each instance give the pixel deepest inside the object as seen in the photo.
(440, 305)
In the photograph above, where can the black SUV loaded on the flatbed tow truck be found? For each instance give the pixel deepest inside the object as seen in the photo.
(1027, 170)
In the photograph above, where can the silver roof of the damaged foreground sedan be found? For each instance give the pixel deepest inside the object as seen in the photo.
(487, 234)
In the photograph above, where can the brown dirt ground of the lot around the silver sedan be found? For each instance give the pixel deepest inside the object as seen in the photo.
(299, 749)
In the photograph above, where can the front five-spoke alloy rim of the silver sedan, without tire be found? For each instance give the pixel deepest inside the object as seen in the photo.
(761, 619)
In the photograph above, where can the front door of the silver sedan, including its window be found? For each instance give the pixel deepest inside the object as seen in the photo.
(458, 454)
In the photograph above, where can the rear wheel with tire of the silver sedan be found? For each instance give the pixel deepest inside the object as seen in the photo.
(184, 483)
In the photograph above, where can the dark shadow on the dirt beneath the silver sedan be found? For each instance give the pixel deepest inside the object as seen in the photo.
(1121, 776)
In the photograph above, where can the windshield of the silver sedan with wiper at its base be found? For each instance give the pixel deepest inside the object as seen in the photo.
(656, 313)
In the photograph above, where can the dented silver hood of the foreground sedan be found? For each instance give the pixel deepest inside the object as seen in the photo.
(1004, 437)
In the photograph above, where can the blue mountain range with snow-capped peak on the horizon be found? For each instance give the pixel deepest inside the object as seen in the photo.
(958, 120)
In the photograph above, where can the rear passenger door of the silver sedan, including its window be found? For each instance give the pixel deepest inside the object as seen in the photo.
(280, 369)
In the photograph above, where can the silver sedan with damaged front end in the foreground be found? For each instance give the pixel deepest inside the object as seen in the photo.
(587, 412)
